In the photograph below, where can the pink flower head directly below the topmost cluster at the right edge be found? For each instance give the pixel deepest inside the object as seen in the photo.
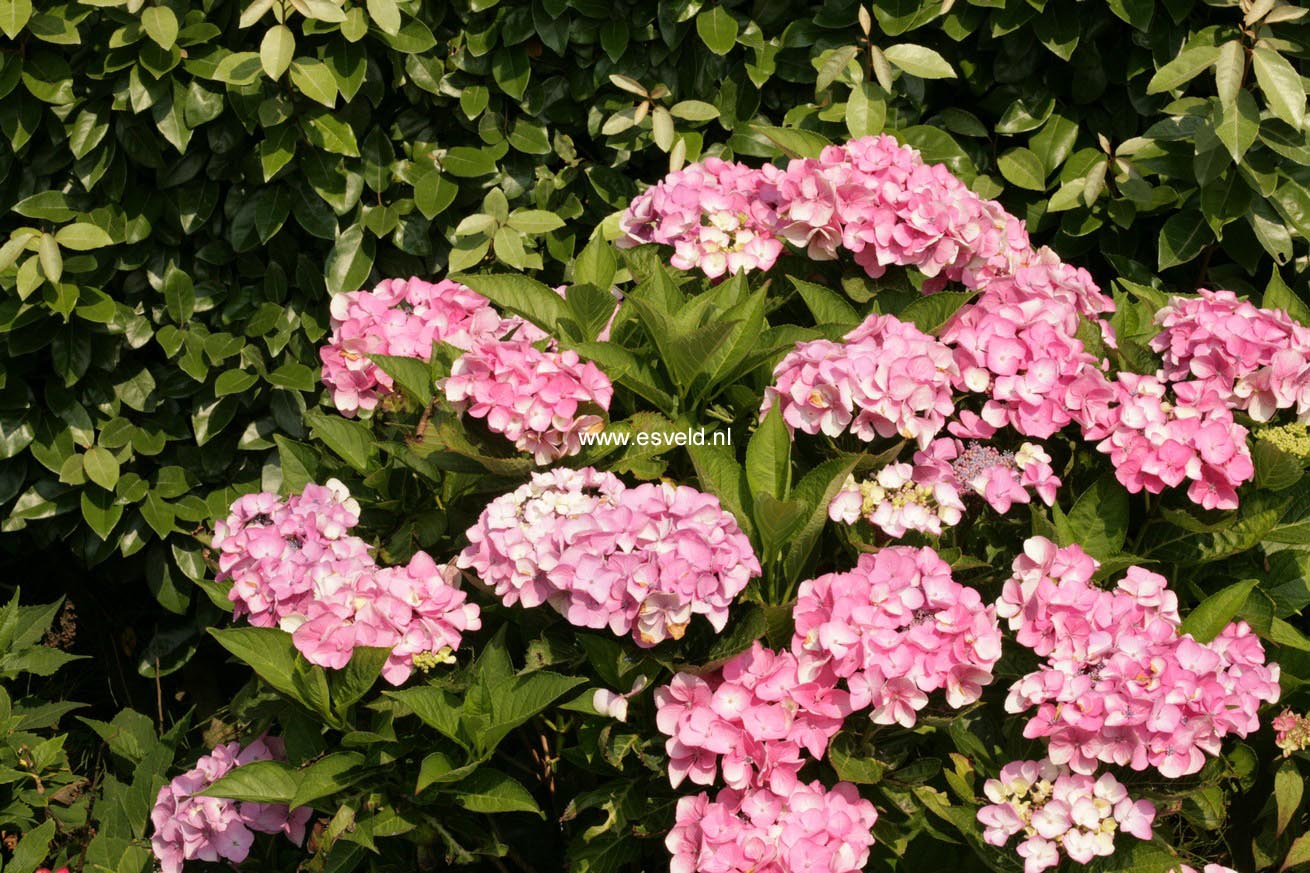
(1160, 436)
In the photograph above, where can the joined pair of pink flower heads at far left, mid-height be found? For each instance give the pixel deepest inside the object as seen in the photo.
(295, 566)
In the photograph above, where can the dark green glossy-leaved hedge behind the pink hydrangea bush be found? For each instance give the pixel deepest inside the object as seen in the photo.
(184, 187)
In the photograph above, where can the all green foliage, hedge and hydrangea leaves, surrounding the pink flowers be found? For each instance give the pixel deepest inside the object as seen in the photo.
(187, 184)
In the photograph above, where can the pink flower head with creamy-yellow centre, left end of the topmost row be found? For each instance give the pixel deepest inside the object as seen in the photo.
(716, 214)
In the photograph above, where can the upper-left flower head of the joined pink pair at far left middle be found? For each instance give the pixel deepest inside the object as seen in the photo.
(276, 553)
